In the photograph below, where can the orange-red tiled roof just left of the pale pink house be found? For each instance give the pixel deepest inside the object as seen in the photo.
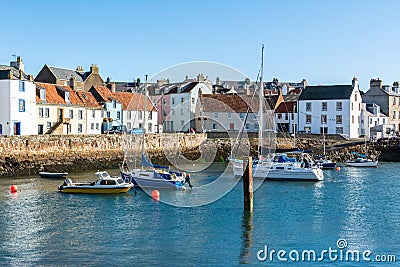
(133, 101)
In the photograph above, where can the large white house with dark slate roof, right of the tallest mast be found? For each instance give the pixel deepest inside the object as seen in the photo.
(334, 109)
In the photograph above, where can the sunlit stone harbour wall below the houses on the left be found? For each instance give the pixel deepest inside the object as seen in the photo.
(21, 155)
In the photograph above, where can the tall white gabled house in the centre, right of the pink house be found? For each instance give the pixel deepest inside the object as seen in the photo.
(183, 104)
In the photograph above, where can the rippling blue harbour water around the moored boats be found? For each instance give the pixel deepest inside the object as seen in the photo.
(40, 226)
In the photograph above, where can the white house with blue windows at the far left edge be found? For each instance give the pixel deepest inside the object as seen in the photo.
(18, 100)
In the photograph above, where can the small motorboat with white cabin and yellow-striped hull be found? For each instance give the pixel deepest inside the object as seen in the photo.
(105, 184)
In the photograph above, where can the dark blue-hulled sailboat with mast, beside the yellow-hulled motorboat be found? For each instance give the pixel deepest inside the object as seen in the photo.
(152, 175)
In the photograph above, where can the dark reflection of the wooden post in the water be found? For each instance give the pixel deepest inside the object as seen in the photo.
(246, 237)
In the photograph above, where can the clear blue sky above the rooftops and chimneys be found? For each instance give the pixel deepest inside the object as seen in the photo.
(326, 42)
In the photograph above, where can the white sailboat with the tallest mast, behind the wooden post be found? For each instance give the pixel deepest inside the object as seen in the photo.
(278, 166)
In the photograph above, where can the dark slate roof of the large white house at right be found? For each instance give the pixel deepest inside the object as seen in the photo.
(325, 92)
